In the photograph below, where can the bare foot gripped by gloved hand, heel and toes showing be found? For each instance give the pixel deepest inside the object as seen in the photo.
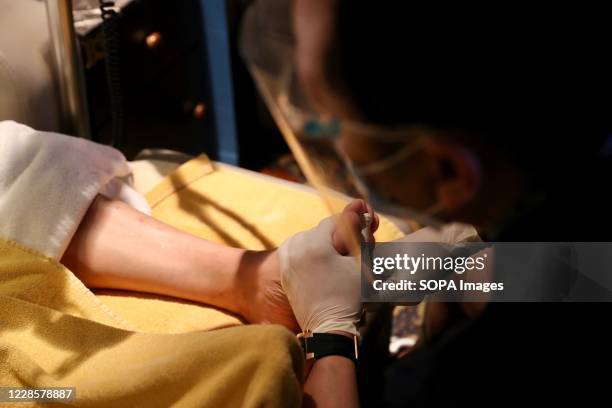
(264, 301)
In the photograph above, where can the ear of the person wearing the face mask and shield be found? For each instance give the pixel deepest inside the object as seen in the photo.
(457, 173)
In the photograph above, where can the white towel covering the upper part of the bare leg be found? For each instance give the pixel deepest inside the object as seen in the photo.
(48, 181)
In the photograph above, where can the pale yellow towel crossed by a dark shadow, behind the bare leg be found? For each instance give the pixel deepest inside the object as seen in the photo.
(240, 208)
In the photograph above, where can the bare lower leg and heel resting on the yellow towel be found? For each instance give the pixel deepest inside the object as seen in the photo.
(117, 247)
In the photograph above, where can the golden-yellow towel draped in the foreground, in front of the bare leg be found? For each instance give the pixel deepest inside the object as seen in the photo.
(54, 332)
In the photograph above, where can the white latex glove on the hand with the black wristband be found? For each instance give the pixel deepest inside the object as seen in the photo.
(323, 287)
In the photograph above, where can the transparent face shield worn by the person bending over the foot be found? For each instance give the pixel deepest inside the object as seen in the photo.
(339, 158)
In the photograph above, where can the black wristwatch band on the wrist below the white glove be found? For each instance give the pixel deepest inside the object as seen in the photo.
(319, 345)
